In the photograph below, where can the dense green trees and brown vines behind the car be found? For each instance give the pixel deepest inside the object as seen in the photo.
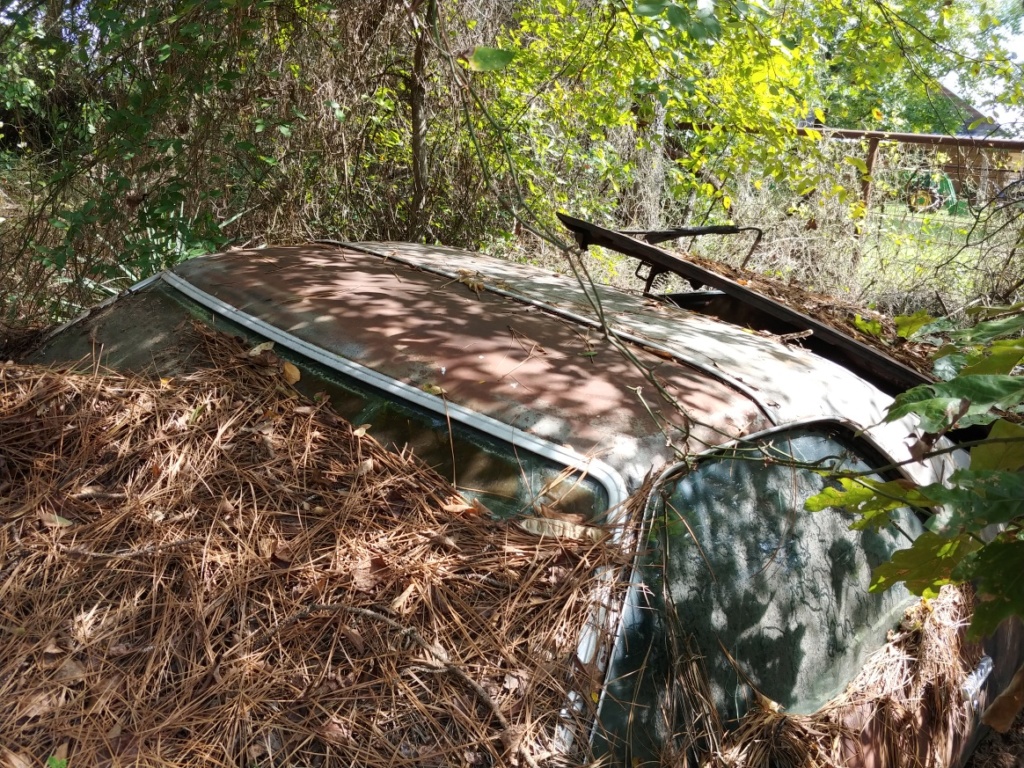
(137, 135)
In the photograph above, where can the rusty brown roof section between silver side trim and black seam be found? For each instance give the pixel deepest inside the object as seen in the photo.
(520, 365)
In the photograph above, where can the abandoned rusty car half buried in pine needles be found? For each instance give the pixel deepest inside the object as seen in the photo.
(514, 381)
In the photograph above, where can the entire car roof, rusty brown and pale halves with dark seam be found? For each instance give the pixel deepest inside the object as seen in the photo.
(527, 347)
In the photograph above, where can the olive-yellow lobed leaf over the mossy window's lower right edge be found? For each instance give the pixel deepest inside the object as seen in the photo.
(926, 567)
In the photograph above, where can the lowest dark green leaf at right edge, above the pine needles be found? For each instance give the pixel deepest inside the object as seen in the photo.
(998, 574)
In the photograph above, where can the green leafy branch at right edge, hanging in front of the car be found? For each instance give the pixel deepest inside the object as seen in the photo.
(975, 521)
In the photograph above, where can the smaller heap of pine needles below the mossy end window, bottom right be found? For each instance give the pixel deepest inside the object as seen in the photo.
(904, 710)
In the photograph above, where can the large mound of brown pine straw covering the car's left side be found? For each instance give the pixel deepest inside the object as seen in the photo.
(212, 572)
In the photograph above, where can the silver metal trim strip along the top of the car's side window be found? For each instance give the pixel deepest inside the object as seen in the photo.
(605, 474)
